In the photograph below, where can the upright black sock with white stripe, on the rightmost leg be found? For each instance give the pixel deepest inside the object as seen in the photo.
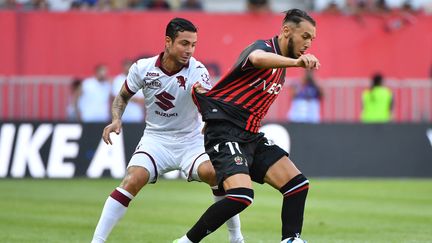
(294, 192)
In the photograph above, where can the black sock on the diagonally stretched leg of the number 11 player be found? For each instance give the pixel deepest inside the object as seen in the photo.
(235, 201)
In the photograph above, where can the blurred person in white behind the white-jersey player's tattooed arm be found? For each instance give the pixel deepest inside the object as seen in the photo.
(135, 109)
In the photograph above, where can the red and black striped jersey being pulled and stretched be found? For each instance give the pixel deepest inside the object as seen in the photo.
(244, 95)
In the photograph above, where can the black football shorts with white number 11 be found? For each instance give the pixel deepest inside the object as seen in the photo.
(232, 150)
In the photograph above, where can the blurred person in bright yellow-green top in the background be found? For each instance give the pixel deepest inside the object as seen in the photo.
(377, 102)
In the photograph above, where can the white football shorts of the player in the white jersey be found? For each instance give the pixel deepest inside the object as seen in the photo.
(161, 154)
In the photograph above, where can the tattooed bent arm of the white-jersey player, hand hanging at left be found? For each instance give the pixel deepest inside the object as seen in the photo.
(117, 109)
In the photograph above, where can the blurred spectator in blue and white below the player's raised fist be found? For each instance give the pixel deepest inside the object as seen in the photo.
(306, 100)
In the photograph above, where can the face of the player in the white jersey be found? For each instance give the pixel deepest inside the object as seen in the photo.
(183, 47)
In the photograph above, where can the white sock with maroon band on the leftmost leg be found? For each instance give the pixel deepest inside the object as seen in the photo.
(114, 209)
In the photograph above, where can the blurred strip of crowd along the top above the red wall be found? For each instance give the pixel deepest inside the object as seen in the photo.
(326, 6)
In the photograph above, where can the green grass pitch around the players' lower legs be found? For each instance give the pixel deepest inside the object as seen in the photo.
(337, 210)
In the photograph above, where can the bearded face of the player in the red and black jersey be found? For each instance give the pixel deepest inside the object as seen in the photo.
(299, 38)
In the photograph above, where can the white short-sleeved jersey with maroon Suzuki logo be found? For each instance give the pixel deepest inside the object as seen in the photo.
(169, 106)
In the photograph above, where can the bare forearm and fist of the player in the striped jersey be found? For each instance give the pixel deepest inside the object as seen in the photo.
(263, 59)
